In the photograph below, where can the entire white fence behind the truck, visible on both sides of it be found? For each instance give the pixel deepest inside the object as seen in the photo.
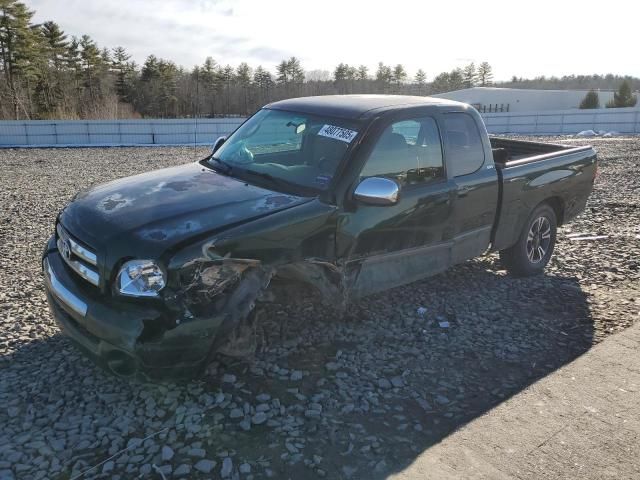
(61, 133)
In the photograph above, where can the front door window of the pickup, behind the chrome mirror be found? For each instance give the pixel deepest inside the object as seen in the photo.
(408, 151)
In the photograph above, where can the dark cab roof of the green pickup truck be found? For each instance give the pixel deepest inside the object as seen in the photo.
(357, 106)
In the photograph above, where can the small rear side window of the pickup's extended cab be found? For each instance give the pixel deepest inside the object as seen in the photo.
(465, 152)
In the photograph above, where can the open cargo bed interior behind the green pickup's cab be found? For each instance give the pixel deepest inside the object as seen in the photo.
(508, 153)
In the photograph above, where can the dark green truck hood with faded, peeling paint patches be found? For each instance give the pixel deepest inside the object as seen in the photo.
(156, 210)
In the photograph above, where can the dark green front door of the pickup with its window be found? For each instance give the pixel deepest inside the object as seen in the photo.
(384, 246)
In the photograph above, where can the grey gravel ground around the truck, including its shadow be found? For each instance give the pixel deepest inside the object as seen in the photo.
(355, 397)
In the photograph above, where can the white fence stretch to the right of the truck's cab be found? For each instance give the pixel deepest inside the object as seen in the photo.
(564, 122)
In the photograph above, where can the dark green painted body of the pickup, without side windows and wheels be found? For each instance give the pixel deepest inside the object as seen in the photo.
(220, 241)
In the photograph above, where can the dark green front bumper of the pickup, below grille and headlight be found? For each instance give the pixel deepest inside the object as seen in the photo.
(124, 337)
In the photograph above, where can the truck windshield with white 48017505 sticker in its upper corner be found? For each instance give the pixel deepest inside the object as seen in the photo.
(291, 148)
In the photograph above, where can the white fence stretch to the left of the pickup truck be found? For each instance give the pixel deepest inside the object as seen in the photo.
(59, 133)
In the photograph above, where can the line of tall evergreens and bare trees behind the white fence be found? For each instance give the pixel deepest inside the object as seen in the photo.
(45, 73)
